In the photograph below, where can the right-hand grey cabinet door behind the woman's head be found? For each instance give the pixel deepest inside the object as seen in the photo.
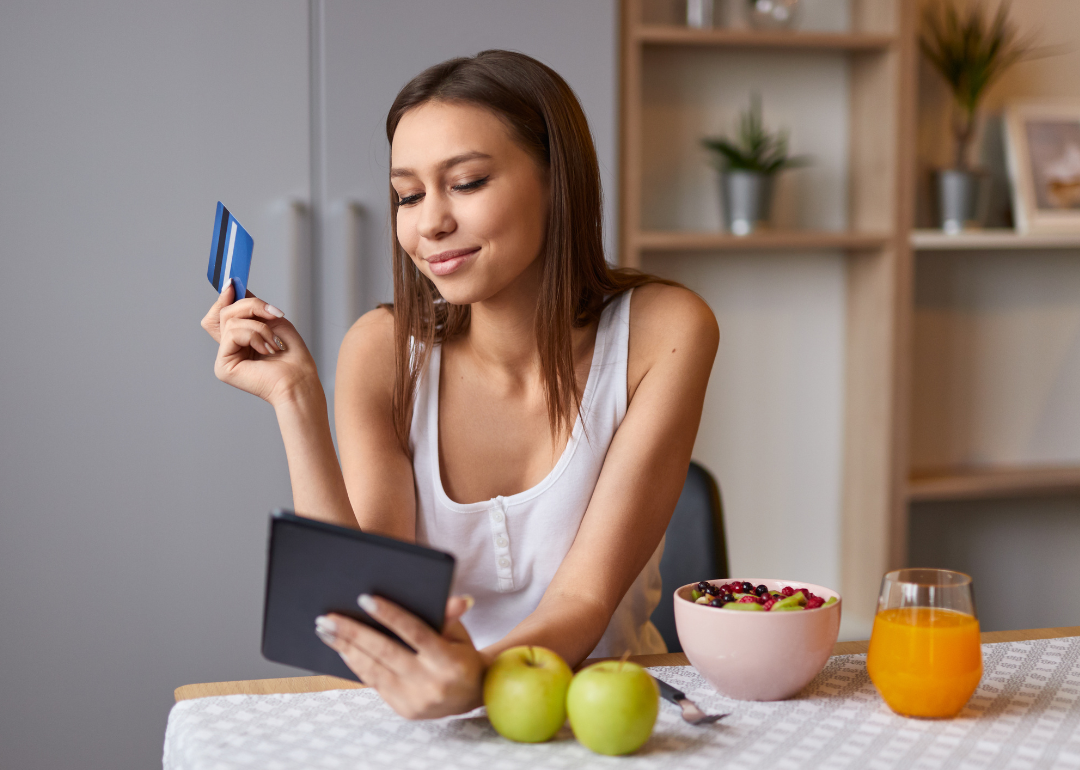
(370, 51)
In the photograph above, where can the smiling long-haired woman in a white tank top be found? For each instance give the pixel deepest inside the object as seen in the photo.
(522, 406)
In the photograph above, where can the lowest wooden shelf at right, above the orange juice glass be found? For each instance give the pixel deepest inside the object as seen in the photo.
(994, 482)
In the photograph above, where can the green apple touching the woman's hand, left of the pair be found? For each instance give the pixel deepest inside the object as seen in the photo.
(525, 694)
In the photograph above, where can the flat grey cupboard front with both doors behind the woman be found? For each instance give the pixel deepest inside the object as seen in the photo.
(134, 487)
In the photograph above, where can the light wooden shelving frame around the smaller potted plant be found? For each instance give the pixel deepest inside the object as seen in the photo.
(881, 50)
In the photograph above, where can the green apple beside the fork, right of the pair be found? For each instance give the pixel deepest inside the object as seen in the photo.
(613, 707)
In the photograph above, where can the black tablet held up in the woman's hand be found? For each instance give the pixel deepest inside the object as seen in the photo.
(315, 569)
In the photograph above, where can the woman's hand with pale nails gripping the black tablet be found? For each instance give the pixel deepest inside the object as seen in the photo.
(444, 677)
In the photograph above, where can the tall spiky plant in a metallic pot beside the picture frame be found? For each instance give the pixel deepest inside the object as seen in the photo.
(970, 52)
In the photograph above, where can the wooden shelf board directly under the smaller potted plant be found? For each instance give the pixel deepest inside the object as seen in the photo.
(765, 241)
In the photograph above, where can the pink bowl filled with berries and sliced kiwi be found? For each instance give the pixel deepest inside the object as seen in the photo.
(758, 640)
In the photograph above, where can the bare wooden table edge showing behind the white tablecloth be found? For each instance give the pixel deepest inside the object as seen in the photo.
(322, 684)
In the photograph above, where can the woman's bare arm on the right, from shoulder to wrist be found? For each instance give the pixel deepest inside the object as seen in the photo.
(673, 342)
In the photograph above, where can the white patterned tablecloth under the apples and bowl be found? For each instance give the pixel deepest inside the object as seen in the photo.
(1025, 714)
